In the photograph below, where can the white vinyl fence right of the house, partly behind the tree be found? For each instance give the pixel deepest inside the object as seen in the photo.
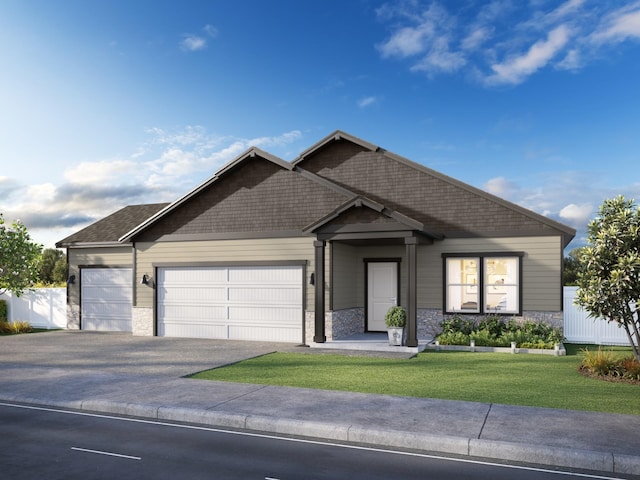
(580, 328)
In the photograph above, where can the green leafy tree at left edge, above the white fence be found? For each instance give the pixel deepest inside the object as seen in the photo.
(19, 258)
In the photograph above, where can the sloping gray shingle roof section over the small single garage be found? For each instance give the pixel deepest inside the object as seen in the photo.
(110, 228)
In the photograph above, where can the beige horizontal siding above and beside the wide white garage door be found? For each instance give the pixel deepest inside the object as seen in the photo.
(150, 255)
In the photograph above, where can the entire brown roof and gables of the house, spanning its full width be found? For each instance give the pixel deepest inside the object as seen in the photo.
(326, 184)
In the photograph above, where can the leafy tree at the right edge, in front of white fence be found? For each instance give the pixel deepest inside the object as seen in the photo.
(609, 277)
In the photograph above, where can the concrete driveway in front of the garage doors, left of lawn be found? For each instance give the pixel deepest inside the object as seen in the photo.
(124, 353)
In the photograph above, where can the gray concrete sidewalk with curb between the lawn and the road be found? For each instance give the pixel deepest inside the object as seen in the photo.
(601, 442)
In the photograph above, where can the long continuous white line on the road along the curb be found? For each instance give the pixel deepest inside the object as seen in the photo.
(314, 442)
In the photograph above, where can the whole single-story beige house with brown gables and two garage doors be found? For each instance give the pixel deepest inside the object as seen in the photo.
(314, 250)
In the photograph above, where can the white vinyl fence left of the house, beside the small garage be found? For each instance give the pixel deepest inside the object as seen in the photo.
(42, 307)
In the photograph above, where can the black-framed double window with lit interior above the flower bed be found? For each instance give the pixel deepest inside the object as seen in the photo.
(483, 283)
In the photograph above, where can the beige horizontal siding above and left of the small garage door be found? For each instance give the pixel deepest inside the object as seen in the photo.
(105, 256)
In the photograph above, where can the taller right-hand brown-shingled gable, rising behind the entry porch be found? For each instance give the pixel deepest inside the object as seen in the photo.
(420, 192)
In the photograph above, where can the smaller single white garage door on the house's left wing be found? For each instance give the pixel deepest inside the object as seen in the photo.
(105, 298)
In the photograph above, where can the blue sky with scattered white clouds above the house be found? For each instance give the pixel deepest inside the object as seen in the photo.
(106, 103)
